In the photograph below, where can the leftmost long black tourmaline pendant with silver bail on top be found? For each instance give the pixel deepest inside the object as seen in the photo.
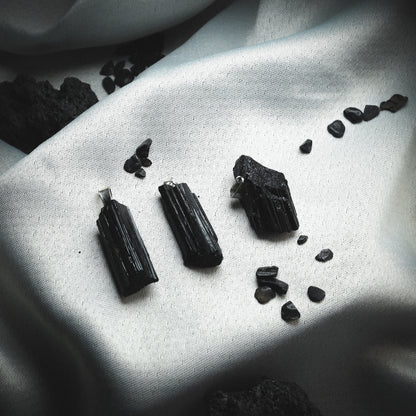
(126, 253)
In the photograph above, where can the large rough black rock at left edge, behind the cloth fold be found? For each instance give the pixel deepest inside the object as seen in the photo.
(31, 112)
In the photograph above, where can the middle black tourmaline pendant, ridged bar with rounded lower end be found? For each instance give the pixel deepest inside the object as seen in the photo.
(193, 232)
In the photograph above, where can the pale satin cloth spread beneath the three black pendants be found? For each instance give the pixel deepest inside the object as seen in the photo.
(258, 79)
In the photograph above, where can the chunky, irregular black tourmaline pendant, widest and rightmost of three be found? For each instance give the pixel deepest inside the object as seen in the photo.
(265, 196)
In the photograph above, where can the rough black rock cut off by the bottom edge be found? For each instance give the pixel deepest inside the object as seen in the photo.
(268, 398)
